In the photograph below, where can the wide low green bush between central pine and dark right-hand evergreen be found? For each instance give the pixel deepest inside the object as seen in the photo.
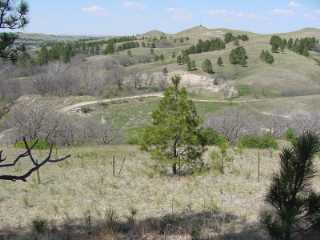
(260, 142)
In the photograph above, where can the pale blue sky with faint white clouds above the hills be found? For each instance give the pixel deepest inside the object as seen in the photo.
(122, 17)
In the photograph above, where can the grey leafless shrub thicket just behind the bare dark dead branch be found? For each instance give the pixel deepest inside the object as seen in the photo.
(39, 121)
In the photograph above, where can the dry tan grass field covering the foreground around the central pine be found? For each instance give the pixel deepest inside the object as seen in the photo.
(81, 199)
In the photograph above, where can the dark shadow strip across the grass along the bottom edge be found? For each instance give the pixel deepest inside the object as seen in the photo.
(184, 226)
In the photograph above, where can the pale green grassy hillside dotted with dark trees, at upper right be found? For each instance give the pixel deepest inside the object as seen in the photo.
(291, 74)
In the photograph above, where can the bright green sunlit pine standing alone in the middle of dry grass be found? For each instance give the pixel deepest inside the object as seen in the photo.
(175, 135)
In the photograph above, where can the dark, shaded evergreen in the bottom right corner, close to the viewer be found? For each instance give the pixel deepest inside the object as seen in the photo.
(295, 206)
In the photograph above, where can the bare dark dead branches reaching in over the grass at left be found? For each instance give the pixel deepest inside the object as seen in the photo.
(37, 164)
